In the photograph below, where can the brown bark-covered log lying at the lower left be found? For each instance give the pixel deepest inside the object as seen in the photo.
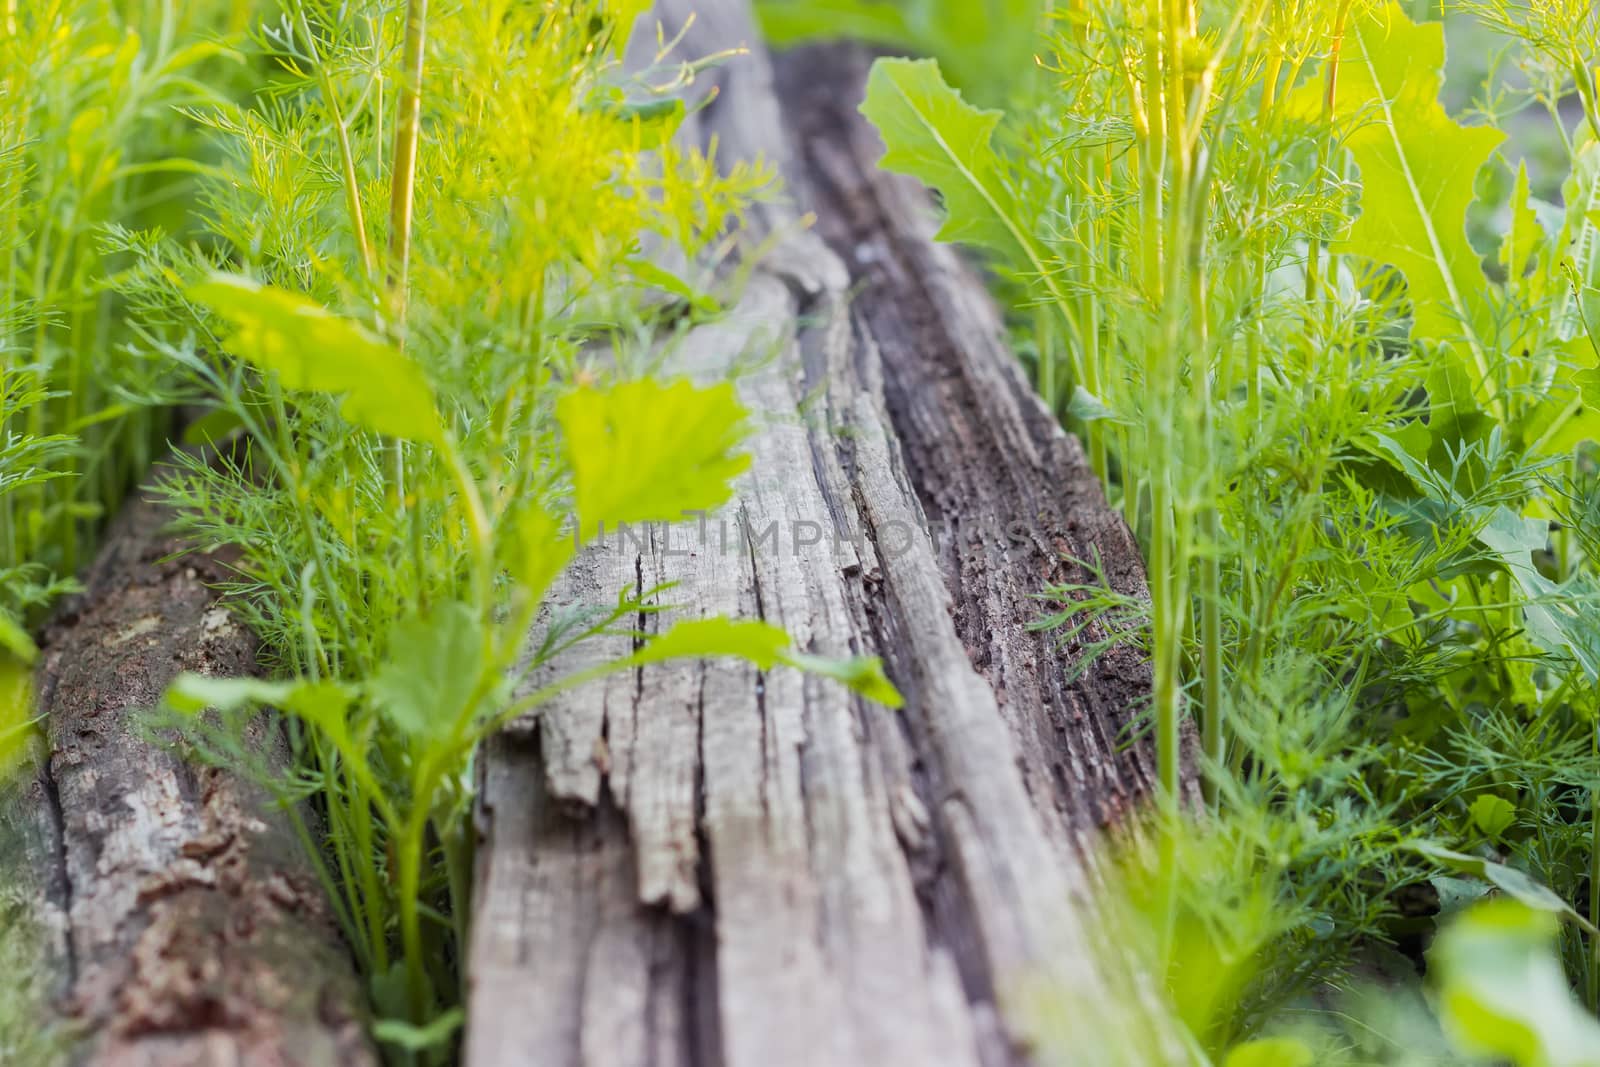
(186, 924)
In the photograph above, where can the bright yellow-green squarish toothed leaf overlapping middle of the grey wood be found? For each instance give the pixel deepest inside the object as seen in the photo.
(650, 452)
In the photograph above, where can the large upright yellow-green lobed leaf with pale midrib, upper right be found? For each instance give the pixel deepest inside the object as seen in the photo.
(1418, 170)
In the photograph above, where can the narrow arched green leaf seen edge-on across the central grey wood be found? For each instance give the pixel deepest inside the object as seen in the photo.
(767, 645)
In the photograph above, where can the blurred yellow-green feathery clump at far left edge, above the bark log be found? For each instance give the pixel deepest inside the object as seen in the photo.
(90, 137)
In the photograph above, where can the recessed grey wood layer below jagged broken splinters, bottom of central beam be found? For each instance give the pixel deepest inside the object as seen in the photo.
(561, 901)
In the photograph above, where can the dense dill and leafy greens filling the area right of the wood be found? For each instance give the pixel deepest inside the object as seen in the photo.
(1359, 457)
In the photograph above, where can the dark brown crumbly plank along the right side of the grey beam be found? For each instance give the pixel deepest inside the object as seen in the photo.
(1010, 494)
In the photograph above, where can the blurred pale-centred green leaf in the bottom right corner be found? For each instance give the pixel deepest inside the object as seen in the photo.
(1503, 994)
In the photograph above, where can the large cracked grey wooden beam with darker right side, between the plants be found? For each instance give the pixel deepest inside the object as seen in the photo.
(708, 865)
